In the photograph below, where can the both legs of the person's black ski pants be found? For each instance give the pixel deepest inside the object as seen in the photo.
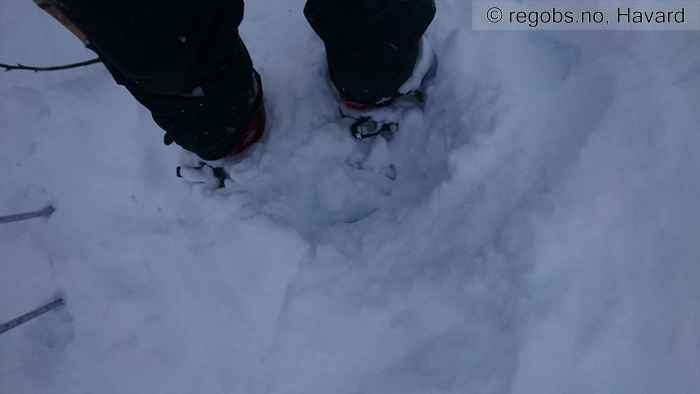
(187, 64)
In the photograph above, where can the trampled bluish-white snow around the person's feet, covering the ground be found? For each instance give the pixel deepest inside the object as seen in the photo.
(541, 235)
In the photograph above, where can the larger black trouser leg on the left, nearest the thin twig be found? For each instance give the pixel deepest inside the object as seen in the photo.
(185, 63)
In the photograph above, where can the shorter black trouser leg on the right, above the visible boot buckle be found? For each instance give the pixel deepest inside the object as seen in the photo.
(371, 45)
